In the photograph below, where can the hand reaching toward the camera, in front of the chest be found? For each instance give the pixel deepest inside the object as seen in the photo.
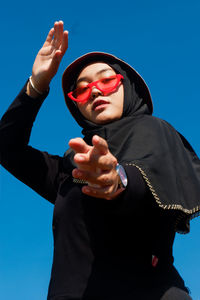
(96, 165)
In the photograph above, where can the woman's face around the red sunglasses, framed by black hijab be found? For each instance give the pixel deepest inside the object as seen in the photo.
(100, 109)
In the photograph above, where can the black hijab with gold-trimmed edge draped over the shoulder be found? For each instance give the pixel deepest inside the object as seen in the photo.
(167, 162)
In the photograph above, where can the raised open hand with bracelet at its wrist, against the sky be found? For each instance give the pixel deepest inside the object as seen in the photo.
(49, 57)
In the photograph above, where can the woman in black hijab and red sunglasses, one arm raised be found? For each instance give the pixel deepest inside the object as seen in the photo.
(120, 193)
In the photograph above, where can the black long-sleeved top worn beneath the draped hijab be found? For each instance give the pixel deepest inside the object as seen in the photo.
(102, 249)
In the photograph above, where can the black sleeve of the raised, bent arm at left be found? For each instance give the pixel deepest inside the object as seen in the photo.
(39, 170)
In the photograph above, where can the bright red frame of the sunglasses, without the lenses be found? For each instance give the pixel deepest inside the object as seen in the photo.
(95, 83)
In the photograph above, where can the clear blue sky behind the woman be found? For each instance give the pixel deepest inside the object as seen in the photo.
(161, 40)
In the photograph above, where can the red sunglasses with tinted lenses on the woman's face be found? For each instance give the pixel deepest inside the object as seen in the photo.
(105, 85)
